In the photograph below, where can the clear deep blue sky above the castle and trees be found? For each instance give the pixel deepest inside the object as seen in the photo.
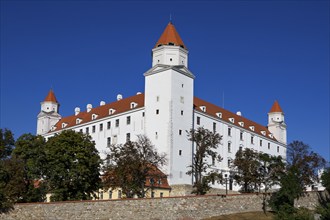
(252, 51)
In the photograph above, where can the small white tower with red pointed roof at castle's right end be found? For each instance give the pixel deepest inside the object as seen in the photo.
(276, 123)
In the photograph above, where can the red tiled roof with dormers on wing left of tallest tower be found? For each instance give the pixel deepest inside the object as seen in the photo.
(120, 106)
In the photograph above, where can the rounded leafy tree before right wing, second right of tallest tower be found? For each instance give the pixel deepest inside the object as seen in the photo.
(246, 169)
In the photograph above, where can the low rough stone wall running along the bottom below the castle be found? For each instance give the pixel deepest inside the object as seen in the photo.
(188, 207)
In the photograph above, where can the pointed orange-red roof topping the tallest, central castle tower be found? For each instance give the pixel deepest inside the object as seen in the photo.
(170, 37)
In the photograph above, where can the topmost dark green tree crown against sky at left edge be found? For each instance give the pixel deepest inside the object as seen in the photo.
(7, 142)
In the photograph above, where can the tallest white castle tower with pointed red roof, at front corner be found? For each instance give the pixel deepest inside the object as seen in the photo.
(169, 89)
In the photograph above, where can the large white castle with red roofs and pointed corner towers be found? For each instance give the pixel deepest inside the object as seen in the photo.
(164, 112)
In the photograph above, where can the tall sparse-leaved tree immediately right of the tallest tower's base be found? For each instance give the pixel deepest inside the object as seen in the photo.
(206, 144)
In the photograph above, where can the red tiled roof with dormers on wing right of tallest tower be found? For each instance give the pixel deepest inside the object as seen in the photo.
(212, 110)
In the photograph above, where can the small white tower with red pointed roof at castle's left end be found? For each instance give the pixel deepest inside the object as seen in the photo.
(49, 113)
